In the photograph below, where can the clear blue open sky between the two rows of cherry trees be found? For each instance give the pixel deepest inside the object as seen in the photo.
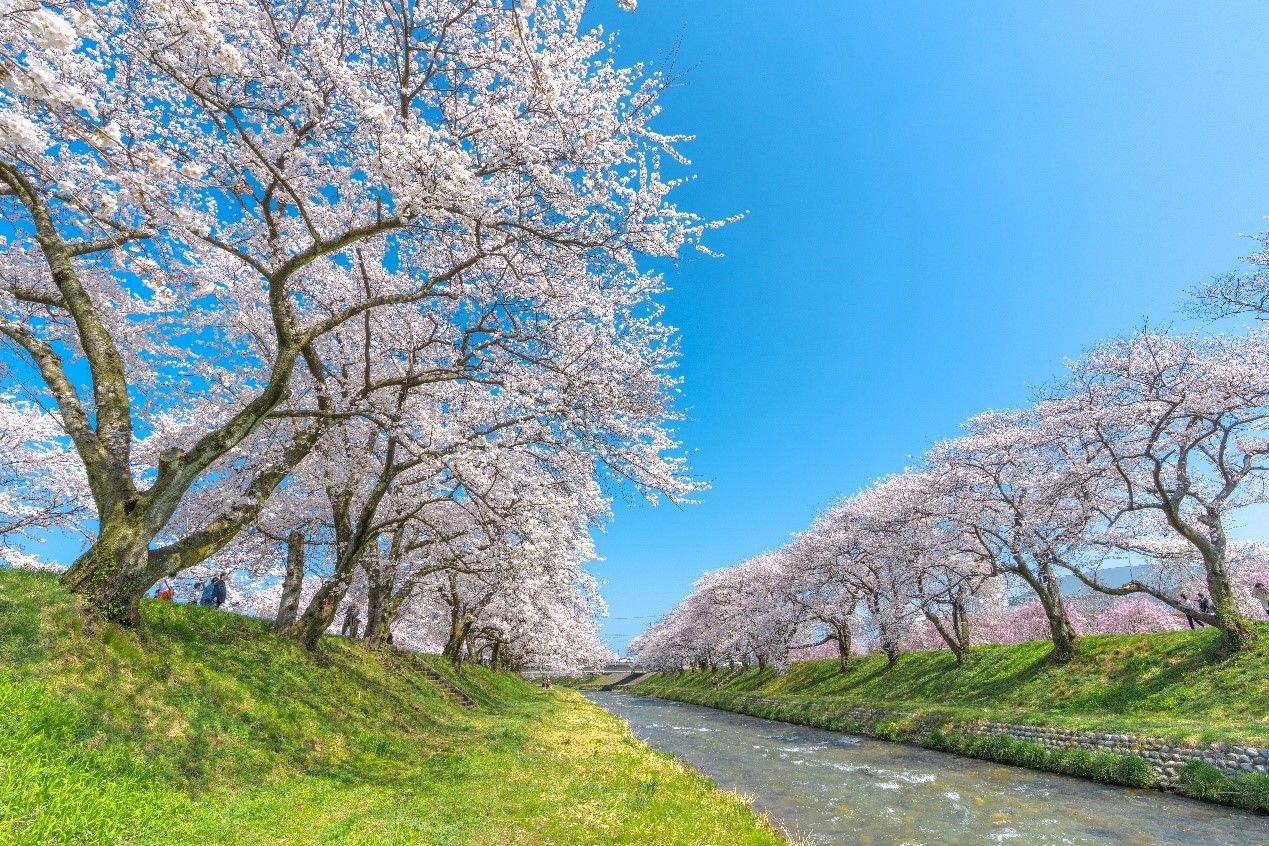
(945, 202)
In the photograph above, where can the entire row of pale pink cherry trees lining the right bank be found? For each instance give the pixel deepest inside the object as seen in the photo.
(1140, 457)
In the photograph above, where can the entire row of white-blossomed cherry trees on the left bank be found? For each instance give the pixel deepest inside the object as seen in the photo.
(343, 295)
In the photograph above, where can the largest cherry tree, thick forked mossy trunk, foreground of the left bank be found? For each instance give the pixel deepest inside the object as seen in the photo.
(201, 196)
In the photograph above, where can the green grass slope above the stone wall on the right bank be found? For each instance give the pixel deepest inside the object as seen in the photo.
(1176, 686)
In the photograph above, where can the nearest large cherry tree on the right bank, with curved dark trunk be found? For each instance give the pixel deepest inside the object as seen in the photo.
(1173, 429)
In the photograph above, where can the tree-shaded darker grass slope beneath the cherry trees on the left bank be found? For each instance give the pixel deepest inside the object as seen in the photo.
(205, 697)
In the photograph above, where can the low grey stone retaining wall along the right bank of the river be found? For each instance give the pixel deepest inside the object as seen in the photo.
(1164, 757)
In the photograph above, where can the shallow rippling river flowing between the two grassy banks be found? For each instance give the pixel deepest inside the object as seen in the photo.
(834, 788)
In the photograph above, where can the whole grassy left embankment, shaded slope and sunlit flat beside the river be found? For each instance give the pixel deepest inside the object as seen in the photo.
(202, 727)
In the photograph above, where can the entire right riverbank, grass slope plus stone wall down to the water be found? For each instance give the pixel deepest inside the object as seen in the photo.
(1164, 711)
